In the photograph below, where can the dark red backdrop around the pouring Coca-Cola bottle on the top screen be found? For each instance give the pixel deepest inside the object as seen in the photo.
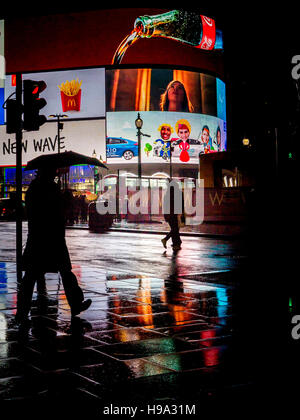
(91, 38)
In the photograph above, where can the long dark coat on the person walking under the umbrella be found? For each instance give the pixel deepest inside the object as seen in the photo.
(46, 248)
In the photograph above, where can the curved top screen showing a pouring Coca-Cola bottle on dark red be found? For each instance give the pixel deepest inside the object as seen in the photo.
(125, 36)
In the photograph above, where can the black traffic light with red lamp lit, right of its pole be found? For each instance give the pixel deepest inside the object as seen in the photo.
(33, 104)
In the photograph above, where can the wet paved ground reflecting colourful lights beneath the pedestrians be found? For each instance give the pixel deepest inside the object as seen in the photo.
(163, 332)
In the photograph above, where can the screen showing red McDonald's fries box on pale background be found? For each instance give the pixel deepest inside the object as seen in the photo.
(77, 93)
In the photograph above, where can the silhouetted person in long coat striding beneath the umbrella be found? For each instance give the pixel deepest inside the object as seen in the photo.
(46, 249)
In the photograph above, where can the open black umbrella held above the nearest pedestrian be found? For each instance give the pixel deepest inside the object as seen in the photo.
(61, 160)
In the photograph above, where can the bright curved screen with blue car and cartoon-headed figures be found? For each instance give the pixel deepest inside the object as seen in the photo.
(189, 134)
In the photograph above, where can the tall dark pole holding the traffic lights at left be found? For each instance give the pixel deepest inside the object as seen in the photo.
(19, 209)
